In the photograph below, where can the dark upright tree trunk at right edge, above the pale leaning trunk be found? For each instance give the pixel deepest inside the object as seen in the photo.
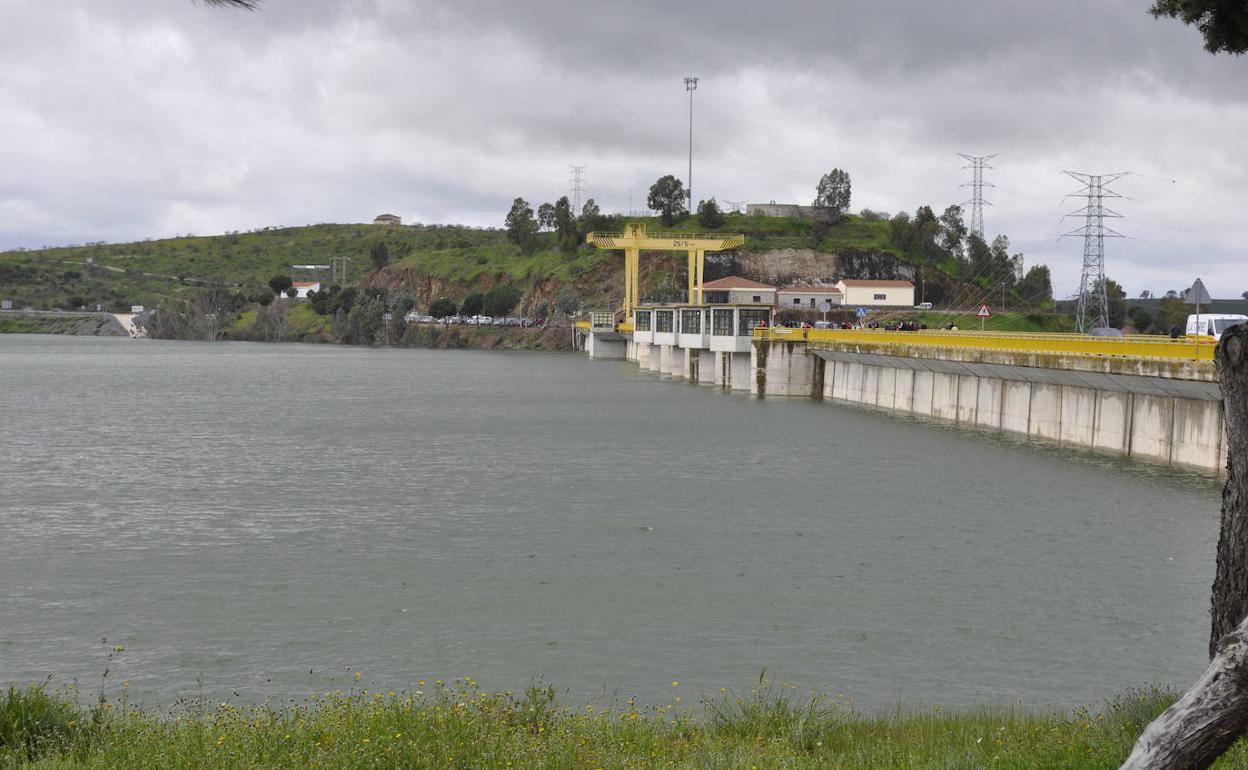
(1231, 585)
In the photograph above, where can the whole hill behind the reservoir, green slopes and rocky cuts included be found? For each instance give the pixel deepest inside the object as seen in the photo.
(431, 261)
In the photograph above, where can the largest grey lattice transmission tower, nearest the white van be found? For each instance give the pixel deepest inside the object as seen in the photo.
(1094, 304)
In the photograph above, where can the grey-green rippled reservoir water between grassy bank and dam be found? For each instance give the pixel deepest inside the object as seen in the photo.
(263, 521)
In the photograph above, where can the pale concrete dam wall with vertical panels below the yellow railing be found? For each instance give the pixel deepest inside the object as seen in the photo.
(1176, 422)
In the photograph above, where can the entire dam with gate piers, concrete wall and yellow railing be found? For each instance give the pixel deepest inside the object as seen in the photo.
(1149, 399)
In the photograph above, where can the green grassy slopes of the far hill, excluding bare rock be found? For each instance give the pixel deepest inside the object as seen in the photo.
(120, 275)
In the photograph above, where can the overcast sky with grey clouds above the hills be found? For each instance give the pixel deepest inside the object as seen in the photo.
(133, 119)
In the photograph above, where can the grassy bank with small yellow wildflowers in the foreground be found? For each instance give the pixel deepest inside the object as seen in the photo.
(462, 727)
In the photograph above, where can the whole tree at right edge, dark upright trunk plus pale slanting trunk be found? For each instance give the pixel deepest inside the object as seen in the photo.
(1214, 713)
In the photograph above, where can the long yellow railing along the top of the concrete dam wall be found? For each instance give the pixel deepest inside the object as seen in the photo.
(1136, 346)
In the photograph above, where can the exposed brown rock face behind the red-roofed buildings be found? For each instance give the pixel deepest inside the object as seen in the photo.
(799, 266)
